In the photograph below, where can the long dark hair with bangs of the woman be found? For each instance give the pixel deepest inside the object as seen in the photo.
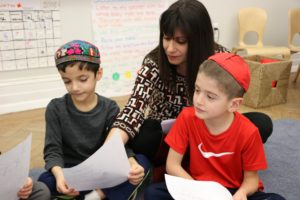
(193, 20)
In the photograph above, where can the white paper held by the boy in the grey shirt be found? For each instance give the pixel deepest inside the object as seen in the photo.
(106, 168)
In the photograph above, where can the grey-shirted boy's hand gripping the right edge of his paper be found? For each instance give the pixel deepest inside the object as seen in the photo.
(136, 173)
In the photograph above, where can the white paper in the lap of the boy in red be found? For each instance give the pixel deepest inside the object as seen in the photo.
(184, 189)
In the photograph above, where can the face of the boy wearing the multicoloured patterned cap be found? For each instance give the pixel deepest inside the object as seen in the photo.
(80, 84)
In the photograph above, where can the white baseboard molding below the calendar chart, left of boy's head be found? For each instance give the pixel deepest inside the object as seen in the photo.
(29, 92)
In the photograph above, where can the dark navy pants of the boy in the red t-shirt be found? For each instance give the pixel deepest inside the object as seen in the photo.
(159, 191)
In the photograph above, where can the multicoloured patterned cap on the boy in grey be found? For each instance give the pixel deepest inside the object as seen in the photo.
(77, 50)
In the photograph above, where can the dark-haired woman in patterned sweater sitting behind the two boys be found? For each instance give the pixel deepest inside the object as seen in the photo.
(165, 82)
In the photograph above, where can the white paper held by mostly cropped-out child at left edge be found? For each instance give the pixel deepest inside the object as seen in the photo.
(14, 168)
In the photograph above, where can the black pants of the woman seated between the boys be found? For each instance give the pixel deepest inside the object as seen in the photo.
(150, 137)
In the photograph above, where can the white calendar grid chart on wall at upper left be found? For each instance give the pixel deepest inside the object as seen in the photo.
(30, 32)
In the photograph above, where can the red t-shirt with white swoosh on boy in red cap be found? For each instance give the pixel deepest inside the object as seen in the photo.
(221, 158)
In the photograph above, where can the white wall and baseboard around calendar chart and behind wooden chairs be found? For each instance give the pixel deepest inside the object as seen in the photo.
(33, 88)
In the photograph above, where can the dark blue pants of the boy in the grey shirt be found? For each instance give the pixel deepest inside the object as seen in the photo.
(119, 192)
